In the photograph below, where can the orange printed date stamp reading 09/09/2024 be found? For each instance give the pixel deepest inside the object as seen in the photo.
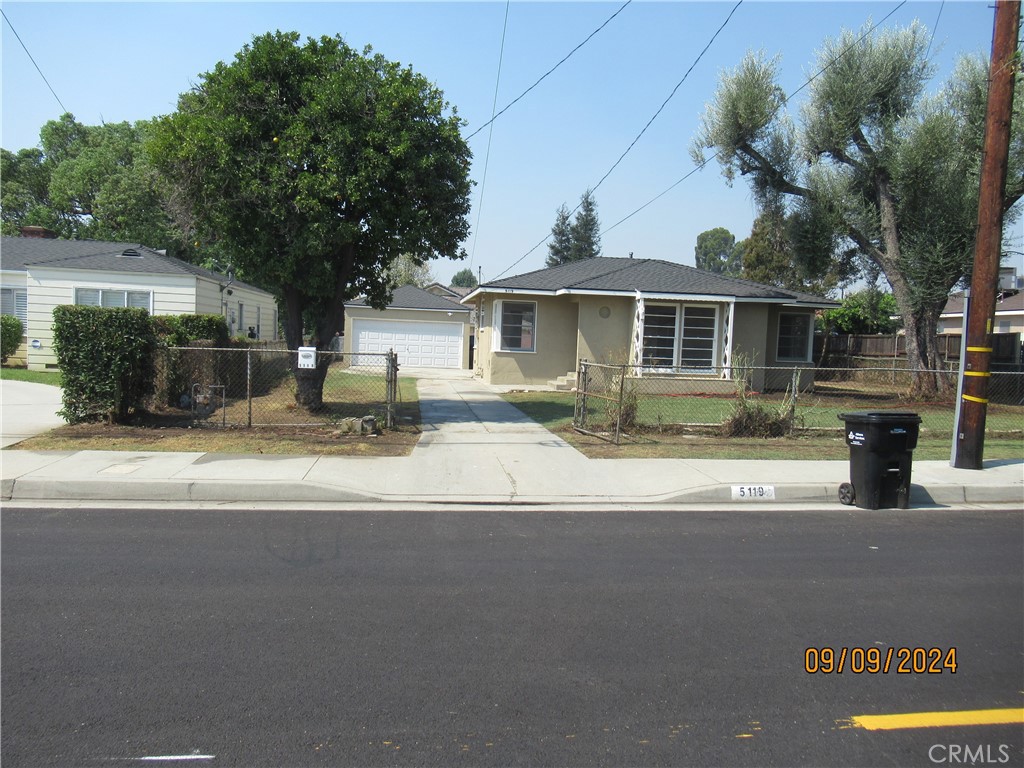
(874, 661)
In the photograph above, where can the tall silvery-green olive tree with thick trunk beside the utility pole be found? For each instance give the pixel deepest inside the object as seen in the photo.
(876, 169)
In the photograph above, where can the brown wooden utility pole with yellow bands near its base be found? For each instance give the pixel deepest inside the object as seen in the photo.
(970, 440)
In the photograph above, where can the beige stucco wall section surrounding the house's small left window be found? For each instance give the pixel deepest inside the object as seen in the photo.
(556, 346)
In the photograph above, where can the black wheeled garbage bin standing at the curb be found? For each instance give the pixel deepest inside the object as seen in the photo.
(881, 448)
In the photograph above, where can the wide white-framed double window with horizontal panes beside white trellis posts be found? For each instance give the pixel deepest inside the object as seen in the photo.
(680, 336)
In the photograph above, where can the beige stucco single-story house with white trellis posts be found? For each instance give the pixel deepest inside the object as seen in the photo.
(669, 320)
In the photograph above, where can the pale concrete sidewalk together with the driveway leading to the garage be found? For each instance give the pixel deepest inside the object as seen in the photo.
(476, 449)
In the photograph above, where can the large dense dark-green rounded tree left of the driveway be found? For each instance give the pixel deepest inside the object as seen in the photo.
(316, 166)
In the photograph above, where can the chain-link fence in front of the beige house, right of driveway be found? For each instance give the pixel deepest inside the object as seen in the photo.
(613, 401)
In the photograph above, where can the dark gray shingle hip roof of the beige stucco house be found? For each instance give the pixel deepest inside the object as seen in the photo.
(648, 276)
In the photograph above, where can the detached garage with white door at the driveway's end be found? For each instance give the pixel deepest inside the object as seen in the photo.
(425, 330)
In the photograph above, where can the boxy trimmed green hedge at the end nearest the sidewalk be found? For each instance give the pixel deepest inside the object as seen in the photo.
(107, 361)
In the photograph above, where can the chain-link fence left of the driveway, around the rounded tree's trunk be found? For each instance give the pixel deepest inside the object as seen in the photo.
(254, 388)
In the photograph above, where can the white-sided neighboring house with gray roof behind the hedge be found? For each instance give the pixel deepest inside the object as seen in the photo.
(38, 274)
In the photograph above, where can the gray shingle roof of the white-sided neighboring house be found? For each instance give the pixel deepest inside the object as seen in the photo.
(21, 254)
